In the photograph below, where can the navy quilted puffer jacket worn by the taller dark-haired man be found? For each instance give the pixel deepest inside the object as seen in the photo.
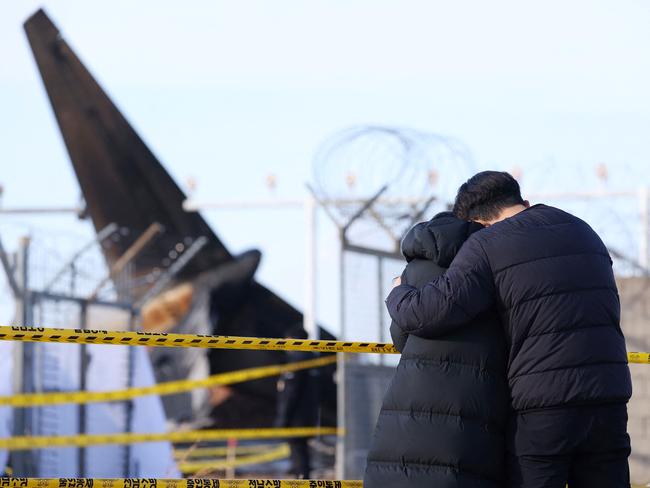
(550, 276)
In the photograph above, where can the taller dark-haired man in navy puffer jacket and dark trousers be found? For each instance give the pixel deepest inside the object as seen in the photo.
(550, 277)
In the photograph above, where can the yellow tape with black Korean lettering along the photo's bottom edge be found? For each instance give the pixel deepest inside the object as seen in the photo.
(169, 483)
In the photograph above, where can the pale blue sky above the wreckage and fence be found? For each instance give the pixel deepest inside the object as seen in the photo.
(228, 92)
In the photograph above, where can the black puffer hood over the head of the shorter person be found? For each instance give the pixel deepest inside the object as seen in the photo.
(438, 240)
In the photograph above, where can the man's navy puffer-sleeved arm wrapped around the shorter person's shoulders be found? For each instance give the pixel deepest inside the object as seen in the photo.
(451, 300)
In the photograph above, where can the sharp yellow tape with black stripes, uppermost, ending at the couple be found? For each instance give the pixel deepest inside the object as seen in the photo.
(160, 339)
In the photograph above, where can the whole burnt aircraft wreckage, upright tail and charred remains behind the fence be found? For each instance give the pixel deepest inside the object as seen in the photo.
(212, 290)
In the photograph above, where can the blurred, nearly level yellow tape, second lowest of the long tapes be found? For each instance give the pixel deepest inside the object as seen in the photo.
(84, 440)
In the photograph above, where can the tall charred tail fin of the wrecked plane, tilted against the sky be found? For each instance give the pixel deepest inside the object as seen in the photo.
(113, 164)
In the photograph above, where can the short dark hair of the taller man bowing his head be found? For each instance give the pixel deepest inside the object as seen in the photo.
(485, 194)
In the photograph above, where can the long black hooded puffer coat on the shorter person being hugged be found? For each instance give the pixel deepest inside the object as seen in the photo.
(442, 423)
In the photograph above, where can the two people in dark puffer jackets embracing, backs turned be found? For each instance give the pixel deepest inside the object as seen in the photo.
(514, 368)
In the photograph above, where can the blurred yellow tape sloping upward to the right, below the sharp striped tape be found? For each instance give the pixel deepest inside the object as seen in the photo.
(169, 388)
